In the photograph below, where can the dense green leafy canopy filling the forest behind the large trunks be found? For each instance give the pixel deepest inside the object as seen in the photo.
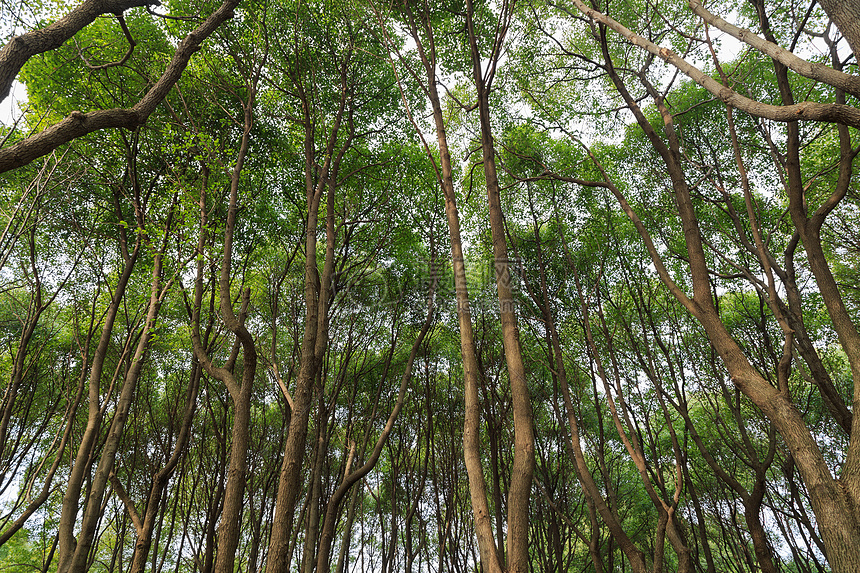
(566, 149)
